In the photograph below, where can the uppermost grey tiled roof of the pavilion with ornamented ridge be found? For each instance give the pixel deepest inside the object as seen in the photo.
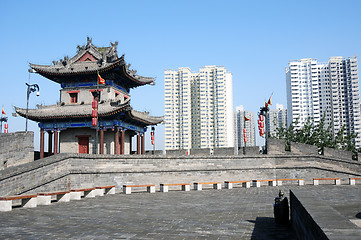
(90, 60)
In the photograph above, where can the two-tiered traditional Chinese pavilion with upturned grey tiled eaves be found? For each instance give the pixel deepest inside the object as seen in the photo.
(69, 123)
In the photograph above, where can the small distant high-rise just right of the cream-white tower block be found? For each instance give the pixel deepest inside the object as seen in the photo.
(241, 124)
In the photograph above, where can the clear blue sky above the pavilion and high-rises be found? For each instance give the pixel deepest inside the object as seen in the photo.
(253, 39)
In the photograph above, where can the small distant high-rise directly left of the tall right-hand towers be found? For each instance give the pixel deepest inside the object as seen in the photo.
(276, 118)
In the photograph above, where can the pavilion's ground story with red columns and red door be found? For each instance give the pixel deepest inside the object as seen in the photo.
(115, 140)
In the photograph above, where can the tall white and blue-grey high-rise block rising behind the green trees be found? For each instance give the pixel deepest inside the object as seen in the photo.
(325, 89)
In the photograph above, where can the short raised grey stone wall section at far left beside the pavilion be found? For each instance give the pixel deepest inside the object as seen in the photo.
(16, 148)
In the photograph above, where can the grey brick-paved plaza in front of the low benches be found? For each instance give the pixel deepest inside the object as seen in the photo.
(237, 213)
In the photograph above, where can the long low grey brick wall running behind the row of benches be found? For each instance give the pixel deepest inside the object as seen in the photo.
(70, 171)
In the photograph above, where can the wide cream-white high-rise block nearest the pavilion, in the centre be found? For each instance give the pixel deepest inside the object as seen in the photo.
(198, 108)
